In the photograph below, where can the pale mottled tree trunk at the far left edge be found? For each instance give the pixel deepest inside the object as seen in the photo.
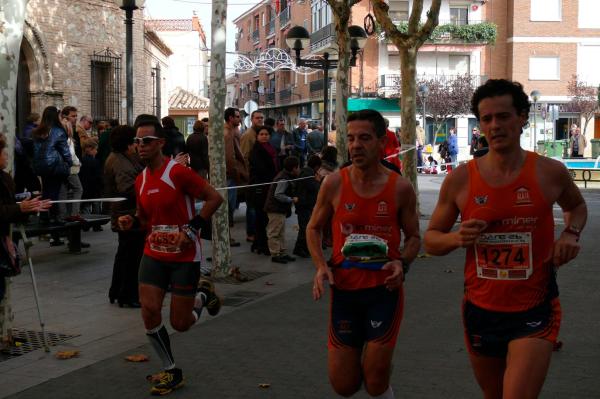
(12, 18)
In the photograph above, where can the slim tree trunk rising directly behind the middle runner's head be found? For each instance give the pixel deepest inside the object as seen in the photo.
(342, 87)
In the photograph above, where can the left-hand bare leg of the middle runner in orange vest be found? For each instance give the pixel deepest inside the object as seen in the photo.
(345, 373)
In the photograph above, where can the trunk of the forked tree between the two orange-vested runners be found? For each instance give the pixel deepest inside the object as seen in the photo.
(408, 107)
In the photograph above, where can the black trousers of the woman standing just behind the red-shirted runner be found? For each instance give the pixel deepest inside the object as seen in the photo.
(124, 286)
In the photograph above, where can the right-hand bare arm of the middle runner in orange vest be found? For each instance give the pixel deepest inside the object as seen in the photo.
(409, 220)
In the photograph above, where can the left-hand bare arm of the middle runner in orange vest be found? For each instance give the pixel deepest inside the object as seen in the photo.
(321, 215)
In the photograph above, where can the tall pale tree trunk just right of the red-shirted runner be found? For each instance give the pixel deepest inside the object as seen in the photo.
(218, 177)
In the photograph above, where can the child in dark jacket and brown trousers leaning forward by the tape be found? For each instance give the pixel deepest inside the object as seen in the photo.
(279, 207)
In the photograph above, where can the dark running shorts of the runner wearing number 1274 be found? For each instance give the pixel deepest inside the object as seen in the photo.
(488, 333)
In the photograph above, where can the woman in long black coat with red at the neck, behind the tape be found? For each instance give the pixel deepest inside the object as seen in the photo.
(264, 165)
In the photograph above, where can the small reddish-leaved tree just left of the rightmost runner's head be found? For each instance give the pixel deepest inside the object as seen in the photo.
(449, 97)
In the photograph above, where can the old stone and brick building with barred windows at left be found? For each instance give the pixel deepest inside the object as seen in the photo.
(73, 53)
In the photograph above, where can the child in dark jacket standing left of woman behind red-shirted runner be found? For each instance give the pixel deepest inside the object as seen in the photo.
(90, 175)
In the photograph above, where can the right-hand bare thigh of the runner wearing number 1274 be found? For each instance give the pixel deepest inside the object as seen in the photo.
(526, 367)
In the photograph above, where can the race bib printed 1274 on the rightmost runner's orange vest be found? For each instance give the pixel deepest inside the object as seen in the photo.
(504, 256)
